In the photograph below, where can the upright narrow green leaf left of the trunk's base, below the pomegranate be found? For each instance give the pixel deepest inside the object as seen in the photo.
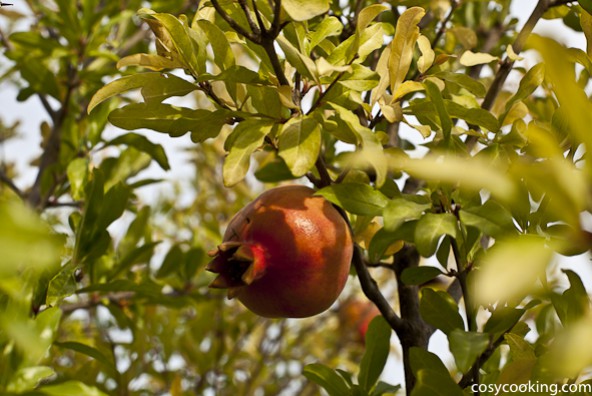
(377, 351)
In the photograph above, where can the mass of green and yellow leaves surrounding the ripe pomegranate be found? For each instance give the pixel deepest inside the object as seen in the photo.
(462, 192)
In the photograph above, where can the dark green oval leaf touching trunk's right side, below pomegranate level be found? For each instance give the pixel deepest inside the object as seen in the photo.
(440, 310)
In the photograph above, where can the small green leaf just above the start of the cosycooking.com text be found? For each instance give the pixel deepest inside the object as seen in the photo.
(466, 347)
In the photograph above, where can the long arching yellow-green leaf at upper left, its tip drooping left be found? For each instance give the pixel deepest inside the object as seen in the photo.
(155, 87)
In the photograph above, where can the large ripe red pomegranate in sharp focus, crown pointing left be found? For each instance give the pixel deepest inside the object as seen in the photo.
(286, 254)
